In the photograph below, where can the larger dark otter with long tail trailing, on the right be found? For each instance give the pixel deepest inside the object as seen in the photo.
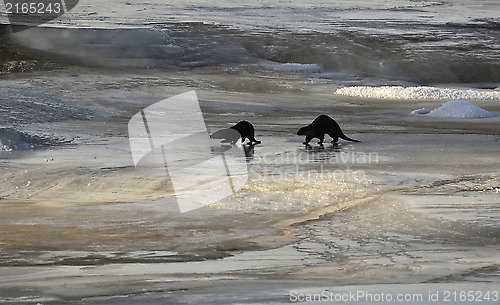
(321, 125)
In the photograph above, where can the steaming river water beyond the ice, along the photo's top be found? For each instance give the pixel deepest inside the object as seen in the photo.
(407, 41)
